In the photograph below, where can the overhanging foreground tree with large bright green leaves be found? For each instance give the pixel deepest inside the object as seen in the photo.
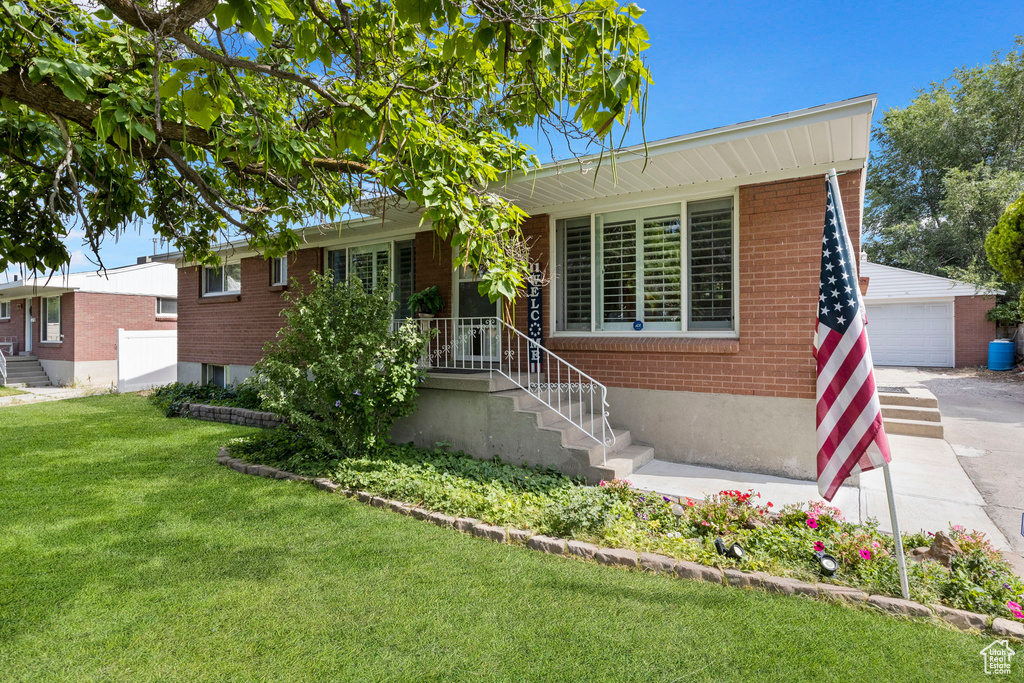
(247, 117)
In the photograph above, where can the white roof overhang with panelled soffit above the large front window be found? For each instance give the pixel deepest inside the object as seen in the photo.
(802, 143)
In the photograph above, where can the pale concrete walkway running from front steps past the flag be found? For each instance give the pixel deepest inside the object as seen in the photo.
(932, 490)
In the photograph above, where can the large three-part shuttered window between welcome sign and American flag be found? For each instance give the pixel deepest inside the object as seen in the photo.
(641, 270)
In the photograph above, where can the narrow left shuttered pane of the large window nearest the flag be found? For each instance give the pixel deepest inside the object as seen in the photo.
(574, 273)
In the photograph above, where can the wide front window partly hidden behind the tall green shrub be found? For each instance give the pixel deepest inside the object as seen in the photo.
(377, 267)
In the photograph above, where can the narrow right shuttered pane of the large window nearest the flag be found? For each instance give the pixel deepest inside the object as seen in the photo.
(711, 265)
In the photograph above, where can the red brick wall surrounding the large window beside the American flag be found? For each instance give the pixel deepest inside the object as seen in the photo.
(781, 228)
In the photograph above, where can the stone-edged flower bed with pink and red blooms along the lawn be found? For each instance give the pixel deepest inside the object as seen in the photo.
(783, 543)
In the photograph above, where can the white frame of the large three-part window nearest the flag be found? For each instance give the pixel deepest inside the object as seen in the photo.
(605, 207)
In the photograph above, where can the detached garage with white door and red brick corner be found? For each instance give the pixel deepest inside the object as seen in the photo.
(926, 321)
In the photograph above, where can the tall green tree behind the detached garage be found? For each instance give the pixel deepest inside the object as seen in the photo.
(944, 170)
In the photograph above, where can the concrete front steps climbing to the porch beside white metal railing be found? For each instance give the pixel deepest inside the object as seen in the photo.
(617, 461)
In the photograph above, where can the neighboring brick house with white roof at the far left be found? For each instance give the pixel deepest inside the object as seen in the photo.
(70, 322)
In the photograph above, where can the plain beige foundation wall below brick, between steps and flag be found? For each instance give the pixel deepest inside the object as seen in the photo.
(765, 435)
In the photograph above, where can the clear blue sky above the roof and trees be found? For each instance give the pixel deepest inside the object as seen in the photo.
(723, 63)
